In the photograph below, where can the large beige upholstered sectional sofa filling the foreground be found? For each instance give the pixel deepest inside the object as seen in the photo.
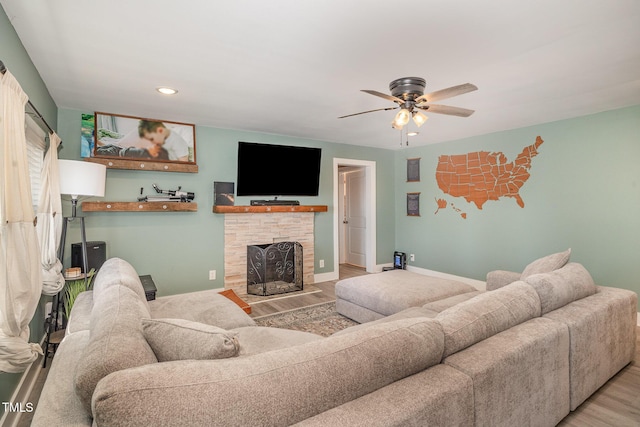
(525, 353)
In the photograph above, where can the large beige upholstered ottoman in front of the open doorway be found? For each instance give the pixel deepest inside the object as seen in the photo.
(374, 296)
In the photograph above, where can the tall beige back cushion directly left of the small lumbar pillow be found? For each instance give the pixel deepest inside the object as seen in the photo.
(116, 341)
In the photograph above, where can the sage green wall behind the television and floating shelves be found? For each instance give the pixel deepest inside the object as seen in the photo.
(179, 249)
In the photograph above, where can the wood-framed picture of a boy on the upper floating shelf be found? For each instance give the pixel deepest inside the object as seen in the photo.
(152, 140)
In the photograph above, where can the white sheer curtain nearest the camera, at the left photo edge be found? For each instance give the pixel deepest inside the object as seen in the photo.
(20, 271)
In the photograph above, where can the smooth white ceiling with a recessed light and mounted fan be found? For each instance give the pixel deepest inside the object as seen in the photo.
(291, 67)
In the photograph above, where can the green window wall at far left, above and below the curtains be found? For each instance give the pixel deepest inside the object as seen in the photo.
(17, 61)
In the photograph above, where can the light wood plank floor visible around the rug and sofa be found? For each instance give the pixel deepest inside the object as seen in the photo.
(617, 403)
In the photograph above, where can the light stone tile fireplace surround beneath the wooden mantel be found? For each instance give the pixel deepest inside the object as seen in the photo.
(247, 229)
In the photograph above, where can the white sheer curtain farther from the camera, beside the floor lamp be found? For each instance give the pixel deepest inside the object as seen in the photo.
(49, 216)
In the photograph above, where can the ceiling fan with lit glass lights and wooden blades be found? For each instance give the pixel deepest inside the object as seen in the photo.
(408, 93)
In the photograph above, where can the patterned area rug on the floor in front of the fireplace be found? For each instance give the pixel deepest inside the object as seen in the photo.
(321, 319)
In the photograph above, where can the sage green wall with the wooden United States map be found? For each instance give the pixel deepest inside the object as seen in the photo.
(583, 194)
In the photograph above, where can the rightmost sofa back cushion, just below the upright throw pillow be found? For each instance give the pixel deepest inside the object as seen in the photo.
(560, 287)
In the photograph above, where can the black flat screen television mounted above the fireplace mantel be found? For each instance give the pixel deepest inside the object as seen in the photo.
(277, 170)
